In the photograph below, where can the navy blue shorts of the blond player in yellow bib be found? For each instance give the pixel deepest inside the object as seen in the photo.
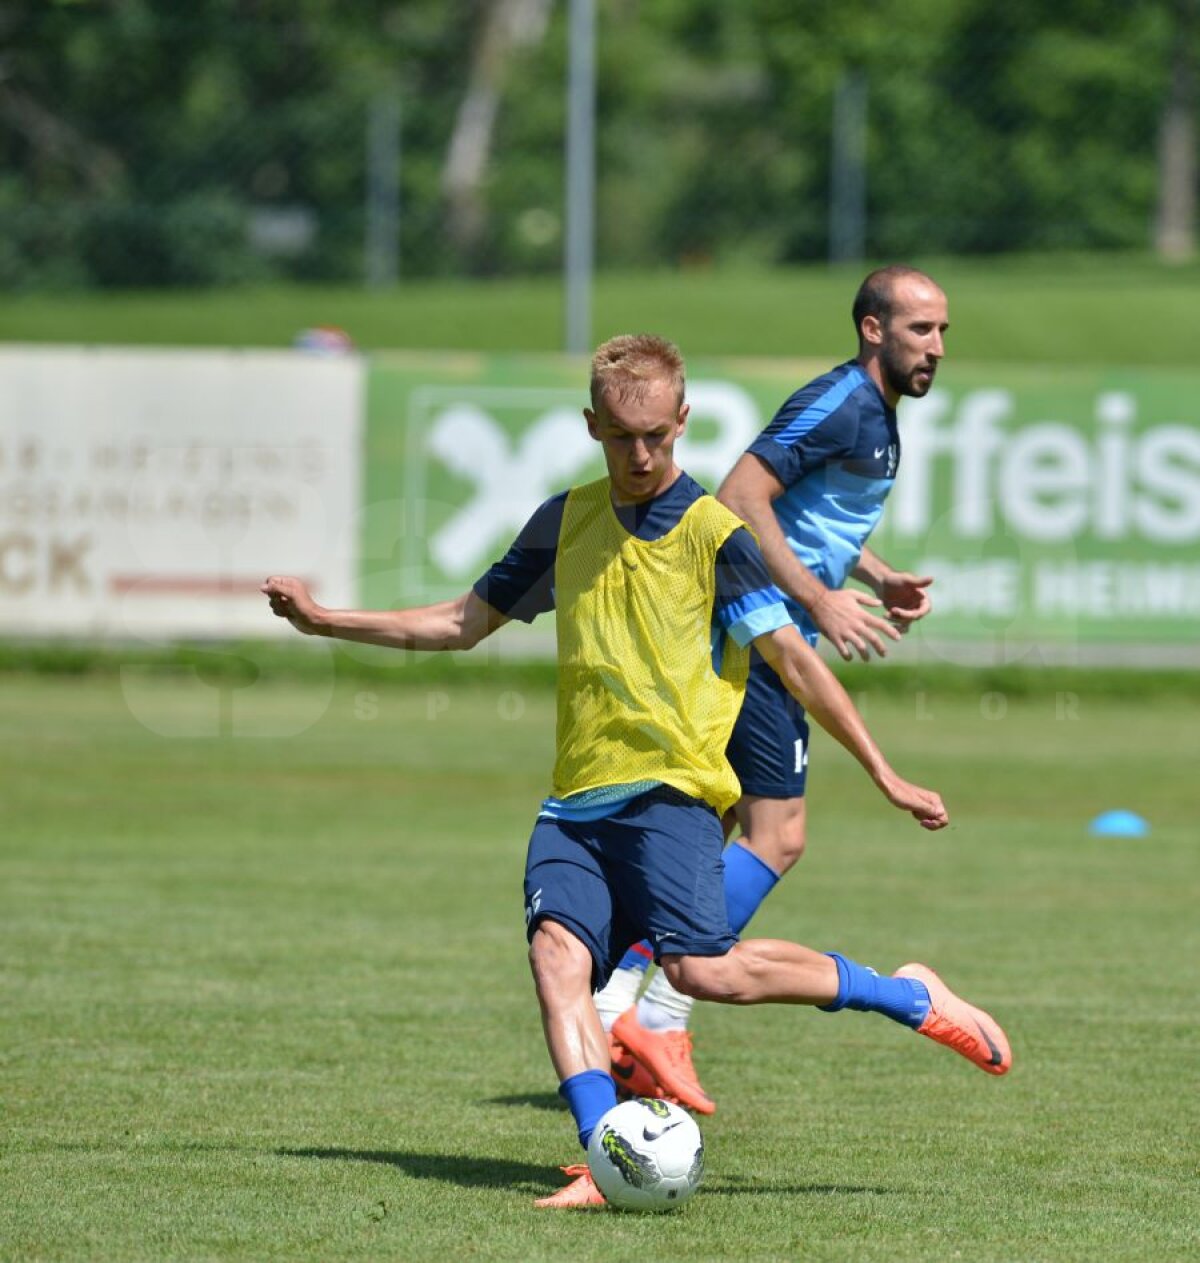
(654, 870)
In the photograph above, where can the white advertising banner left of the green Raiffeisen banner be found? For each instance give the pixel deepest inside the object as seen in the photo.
(147, 494)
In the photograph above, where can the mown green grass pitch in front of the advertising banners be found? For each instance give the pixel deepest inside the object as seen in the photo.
(265, 996)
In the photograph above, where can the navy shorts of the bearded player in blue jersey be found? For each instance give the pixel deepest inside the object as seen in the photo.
(770, 745)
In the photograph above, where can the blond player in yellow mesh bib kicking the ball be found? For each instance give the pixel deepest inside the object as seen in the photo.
(659, 593)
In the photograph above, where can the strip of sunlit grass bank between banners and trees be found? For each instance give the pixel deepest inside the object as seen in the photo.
(1089, 310)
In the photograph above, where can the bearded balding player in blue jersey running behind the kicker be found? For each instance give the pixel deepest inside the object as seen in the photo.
(813, 487)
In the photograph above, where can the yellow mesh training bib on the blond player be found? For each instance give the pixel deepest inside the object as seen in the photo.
(639, 698)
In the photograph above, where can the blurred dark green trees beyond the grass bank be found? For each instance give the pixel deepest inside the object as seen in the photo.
(153, 143)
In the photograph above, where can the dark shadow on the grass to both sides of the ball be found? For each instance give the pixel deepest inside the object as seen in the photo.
(495, 1174)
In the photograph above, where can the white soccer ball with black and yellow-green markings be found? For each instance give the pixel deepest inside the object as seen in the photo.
(646, 1155)
